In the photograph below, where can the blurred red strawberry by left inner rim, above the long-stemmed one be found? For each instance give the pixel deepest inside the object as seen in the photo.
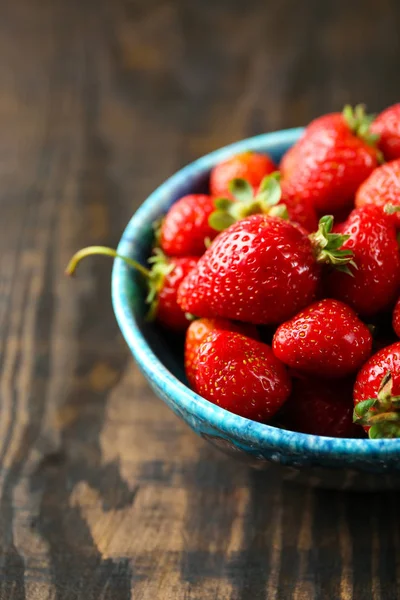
(185, 226)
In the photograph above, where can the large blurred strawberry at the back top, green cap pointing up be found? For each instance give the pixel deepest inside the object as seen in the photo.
(333, 157)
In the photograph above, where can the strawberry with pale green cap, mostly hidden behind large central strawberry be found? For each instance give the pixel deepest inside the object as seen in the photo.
(267, 200)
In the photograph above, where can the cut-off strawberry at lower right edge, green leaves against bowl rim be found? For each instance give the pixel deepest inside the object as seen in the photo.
(377, 394)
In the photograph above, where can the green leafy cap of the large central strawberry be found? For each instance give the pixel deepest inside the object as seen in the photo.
(327, 247)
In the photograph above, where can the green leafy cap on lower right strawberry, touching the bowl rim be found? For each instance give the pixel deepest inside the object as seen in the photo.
(380, 414)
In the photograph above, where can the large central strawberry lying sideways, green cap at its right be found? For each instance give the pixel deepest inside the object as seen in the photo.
(261, 270)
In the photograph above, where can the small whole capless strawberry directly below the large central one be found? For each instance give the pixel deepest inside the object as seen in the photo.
(326, 339)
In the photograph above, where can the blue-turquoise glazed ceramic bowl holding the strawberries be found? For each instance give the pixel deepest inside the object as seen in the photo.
(333, 462)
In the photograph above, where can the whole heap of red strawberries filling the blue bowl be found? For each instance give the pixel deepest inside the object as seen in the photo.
(286, 280)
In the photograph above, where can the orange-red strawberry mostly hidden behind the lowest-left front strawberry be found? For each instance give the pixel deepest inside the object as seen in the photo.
(198, 331)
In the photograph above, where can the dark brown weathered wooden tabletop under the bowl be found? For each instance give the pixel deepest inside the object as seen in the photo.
(104, 494)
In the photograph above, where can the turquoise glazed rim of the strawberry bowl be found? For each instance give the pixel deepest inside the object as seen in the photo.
(254, 433)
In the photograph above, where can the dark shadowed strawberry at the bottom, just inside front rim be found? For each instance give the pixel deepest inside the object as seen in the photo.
(320, 407)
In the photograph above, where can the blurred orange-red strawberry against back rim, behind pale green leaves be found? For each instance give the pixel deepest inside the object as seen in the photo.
(251, 166)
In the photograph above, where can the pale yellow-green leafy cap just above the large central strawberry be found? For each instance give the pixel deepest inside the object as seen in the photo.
(246, 203)
